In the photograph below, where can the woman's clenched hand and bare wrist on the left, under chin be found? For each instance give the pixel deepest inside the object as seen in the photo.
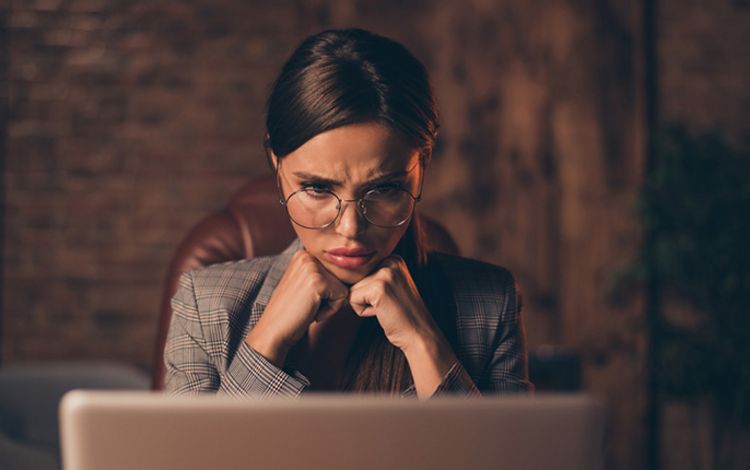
(307, 292)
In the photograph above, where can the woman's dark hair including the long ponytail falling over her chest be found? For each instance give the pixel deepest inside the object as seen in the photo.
(351, 76)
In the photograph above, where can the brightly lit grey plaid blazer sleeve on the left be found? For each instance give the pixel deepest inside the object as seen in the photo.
(194, 364)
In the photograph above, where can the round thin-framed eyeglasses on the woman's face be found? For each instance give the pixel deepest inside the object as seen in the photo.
(388, 205)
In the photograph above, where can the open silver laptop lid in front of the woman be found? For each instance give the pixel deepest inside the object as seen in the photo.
(150, 430)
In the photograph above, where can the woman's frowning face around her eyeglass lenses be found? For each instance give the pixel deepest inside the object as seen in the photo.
(350, 161)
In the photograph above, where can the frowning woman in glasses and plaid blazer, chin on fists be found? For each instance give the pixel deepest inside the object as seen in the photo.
(356, 303)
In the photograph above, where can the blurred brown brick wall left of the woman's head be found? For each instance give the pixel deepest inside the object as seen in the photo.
(129, 121)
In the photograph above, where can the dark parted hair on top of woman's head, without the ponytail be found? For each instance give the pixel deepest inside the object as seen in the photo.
(350, 76)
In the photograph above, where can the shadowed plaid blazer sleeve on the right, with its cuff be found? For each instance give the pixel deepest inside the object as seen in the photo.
(507, 368)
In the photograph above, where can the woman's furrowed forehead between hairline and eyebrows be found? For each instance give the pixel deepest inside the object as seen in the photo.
(353, 152)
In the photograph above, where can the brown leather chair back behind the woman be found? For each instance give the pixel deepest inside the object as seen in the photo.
(252, 224)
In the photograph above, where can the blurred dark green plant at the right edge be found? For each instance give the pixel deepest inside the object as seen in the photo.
(696, 206)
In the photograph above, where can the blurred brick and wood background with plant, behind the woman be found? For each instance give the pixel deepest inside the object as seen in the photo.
(598, 149)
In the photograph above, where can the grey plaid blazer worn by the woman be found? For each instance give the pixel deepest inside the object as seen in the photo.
(215, 307)
